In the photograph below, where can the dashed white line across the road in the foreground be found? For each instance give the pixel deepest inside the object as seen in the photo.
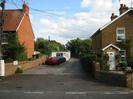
(69, 92)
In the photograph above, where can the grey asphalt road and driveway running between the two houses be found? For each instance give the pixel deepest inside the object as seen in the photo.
(65, 81)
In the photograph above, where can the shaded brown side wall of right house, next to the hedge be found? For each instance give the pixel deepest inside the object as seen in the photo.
(96, 42)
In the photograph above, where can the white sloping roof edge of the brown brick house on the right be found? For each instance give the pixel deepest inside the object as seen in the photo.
(106, 25)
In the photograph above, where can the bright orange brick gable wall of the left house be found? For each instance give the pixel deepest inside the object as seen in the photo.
(26, 36)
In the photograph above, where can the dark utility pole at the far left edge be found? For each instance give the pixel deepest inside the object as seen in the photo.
(2, 5)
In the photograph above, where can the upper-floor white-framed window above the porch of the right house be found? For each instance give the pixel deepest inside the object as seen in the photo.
(120, 34)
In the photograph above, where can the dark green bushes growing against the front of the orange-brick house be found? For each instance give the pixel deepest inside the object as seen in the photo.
(13, 50)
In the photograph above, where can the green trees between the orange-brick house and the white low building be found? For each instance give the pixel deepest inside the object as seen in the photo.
(46, 46)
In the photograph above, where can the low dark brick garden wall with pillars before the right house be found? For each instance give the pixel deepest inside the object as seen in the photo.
(116, 78)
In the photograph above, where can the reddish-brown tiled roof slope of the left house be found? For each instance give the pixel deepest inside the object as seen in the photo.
(12, 19)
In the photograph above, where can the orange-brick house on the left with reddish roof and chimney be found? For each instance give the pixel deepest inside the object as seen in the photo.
(18, 21)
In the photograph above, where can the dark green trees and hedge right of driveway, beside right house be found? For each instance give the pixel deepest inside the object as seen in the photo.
(82, 49)
